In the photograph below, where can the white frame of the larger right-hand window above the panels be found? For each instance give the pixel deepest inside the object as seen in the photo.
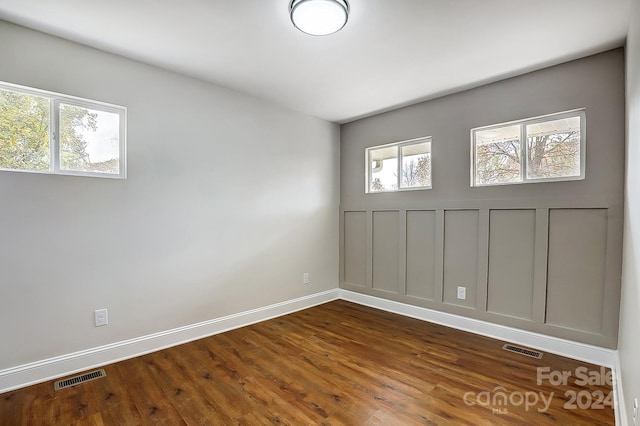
(523, 123)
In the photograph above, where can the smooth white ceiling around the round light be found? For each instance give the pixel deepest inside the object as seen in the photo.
(391, 52)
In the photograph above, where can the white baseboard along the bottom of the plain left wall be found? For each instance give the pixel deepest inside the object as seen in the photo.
(52, 368)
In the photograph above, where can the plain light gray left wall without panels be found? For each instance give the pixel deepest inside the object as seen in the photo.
(229, 199)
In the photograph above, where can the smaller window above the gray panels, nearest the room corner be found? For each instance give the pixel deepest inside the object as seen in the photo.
(399, 166)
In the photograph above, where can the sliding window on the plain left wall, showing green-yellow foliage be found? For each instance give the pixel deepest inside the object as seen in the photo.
(51, 133)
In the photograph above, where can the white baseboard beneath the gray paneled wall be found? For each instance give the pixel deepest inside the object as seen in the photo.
(567, 348)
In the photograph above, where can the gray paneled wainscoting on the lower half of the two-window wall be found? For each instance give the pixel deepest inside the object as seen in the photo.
(554, 271)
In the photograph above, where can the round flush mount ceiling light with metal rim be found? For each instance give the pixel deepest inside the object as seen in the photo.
(319, 17)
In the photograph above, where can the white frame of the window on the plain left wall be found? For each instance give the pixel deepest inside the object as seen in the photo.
(55, 99)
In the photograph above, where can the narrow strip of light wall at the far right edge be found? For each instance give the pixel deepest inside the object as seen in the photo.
(629, 341)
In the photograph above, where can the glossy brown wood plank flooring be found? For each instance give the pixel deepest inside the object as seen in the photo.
(334, 364)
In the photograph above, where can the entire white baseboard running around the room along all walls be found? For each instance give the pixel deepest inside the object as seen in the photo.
(52, 368)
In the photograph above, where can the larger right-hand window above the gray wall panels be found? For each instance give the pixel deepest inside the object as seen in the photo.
(542, 149)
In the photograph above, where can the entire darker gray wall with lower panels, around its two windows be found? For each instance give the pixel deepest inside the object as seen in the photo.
(544, 257)
